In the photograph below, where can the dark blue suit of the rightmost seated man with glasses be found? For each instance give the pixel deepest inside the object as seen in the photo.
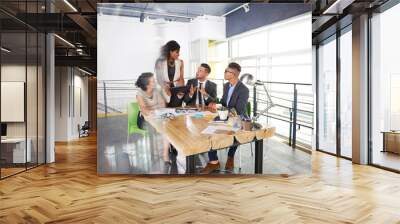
(238, 100)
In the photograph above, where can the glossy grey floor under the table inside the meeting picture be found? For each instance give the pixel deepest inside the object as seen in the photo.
(119, 153)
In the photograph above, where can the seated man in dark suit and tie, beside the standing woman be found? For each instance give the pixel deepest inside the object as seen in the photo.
(201, 90)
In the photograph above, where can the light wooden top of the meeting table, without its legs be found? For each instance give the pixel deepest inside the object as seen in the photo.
(184, 133)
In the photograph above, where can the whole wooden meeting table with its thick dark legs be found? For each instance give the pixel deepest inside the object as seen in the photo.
(184, 132)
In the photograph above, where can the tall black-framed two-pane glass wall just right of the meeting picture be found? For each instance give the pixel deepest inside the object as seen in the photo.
(334, 80)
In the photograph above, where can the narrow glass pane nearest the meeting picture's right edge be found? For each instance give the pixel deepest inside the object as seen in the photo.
(327, 97)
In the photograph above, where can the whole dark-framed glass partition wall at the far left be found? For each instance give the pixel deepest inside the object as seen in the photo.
(22, 88)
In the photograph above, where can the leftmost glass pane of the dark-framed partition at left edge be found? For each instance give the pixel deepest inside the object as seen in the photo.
(13, 87)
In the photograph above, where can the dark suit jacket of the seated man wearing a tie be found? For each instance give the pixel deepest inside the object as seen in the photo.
(210, 88)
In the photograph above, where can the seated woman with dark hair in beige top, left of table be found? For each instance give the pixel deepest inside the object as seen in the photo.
(150, 98)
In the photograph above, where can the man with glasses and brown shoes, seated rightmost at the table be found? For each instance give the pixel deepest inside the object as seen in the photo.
(235, 95)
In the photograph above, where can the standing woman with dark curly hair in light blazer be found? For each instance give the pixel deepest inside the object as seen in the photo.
(169, 72)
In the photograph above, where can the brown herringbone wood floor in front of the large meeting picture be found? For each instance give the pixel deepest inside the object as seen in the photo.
(69, 191)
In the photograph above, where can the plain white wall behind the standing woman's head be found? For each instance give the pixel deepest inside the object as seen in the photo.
(127, 47)
